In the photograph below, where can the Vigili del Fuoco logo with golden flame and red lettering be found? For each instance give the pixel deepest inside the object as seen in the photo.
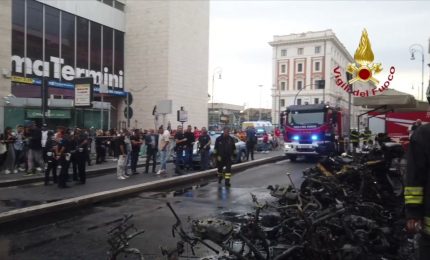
(364, 70)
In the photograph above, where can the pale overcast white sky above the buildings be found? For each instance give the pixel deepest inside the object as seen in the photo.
(240, 32)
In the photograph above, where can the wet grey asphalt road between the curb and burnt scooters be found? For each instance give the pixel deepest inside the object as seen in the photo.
(83, 234)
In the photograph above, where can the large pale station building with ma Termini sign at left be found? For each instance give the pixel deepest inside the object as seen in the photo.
(134, 50)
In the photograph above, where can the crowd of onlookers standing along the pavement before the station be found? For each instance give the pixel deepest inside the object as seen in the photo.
(30, 150)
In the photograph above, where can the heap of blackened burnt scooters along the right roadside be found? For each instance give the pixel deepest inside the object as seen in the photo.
(347, 207)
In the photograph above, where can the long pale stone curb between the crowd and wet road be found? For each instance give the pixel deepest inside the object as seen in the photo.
(66, 204)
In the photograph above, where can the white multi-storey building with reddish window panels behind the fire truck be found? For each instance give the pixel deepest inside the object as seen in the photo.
(299, 62)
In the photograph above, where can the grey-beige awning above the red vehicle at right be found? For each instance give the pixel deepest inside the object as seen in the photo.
(391, 98)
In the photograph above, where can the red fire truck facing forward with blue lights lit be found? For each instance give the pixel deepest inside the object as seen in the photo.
(312, 130)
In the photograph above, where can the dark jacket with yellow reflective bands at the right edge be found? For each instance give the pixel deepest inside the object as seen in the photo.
(417, 185)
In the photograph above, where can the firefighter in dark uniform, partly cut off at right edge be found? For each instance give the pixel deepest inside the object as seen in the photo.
(417, 187)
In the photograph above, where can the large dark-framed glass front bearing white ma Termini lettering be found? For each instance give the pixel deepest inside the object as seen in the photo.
(45, 51)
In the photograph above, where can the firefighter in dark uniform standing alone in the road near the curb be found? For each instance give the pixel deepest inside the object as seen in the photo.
(225, 149)
